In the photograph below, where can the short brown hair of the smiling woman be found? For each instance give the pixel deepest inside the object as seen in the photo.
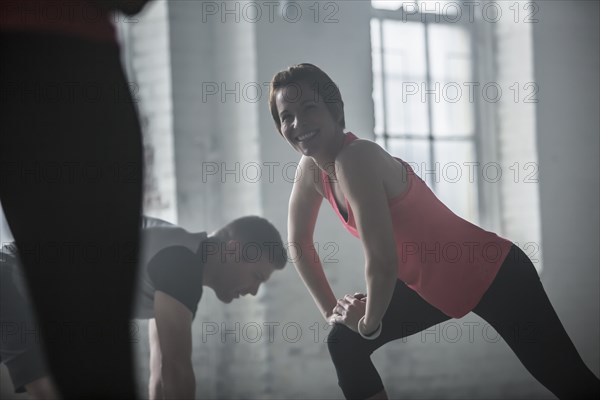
(327, 90)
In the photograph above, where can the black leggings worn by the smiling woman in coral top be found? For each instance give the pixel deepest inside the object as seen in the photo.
(515, 305)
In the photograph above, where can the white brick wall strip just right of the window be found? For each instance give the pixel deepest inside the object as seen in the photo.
(517, 131)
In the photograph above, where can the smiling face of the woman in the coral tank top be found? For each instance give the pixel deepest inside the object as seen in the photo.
(306, 122)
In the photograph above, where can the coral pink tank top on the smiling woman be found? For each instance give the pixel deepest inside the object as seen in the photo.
(447, 260)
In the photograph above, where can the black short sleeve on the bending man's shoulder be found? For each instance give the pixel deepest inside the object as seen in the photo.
(177, 271)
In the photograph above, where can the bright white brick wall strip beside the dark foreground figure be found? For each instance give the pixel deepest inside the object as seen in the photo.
(146, 55)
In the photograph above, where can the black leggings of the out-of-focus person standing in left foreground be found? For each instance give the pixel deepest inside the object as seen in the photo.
(71, 188)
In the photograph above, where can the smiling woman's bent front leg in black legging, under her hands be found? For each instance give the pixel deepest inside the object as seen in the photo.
(407, 314)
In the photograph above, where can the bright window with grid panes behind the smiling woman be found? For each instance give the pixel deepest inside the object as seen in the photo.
(423, 95)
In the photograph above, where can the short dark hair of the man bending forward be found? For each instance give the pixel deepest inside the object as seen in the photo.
(258, 232)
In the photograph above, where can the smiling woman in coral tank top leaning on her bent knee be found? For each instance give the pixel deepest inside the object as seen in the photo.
(424, 264)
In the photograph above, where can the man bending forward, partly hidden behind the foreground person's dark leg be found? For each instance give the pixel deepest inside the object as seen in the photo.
(175, 266)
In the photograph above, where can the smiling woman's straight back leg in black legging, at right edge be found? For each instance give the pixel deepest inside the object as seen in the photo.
(517, 306)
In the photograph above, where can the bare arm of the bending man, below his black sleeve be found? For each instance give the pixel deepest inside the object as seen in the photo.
(174, 328)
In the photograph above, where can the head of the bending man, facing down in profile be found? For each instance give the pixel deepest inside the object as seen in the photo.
(241, 256)
